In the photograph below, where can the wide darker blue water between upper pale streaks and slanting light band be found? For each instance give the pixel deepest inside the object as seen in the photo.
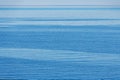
(83, 40)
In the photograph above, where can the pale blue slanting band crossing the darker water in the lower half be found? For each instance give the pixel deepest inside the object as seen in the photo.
(58, 55)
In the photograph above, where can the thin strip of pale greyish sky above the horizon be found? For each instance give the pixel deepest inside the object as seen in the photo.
(59, 2)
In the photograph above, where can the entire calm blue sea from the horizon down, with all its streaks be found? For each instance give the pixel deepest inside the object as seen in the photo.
(60, 43)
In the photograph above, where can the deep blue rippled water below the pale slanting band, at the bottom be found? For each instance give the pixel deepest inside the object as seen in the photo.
(33, 70)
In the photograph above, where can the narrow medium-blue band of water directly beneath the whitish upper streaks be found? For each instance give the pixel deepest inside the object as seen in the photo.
(61, 28)
